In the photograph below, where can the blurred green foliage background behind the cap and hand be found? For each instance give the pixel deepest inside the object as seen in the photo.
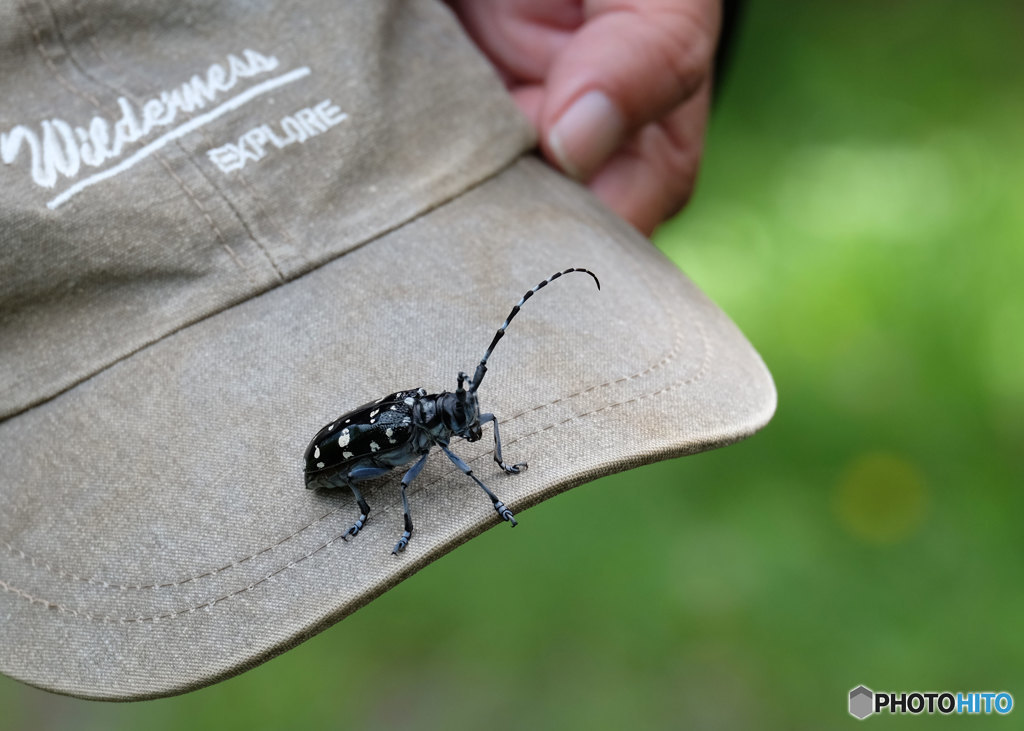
(861, 216)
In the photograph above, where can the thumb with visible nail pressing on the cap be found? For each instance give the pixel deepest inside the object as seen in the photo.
(630, 64)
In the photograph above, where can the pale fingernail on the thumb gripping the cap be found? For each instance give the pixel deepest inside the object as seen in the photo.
(587, 135)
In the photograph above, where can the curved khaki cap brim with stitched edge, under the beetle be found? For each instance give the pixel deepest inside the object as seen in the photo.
(157, 533)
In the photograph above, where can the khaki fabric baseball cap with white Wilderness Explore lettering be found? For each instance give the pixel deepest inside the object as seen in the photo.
(223, 229)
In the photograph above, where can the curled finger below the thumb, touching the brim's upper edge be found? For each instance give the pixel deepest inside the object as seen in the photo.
(653, 177)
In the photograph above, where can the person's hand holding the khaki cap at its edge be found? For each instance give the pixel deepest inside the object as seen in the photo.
(619, 91)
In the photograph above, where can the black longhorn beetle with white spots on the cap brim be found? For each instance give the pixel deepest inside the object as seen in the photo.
(375, 439)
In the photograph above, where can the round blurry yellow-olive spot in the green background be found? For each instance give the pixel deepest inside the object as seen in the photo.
(880, 498)
